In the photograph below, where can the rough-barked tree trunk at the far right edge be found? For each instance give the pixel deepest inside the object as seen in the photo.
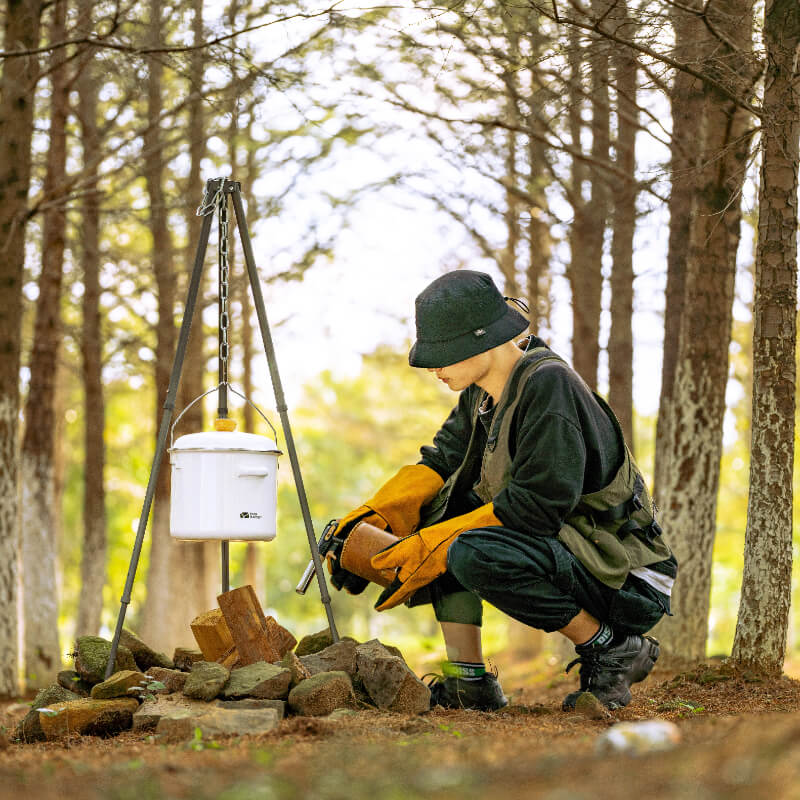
(760, 640)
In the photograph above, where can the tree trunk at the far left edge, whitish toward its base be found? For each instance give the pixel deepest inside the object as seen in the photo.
(17, 86)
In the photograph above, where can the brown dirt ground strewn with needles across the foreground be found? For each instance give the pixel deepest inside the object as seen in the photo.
(740, 738)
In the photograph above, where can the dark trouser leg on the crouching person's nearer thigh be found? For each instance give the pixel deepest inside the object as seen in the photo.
(536, 580)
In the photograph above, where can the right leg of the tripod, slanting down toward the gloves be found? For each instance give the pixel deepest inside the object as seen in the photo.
(280, 401)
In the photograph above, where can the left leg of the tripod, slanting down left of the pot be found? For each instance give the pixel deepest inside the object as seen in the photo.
(161, 441)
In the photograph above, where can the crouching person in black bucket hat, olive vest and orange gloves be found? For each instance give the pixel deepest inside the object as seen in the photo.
(527, 499)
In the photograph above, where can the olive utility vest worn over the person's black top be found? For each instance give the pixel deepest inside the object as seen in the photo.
(610, 531)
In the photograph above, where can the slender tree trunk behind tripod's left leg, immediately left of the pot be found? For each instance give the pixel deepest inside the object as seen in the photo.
(163, 607)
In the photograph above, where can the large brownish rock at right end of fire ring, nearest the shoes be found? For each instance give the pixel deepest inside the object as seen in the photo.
(390, 684)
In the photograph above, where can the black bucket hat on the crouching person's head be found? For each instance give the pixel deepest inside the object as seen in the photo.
(460, 315)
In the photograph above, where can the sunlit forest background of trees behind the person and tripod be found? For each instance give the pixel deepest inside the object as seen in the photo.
(630, 170)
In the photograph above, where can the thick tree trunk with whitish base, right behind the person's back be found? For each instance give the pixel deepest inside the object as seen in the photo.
(690, 481)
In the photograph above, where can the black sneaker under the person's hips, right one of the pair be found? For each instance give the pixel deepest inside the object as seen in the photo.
(608, 672)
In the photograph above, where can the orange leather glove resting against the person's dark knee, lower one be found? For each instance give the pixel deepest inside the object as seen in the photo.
(422, 557)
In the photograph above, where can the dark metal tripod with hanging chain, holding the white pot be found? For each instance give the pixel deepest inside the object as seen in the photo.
(216, 196)
